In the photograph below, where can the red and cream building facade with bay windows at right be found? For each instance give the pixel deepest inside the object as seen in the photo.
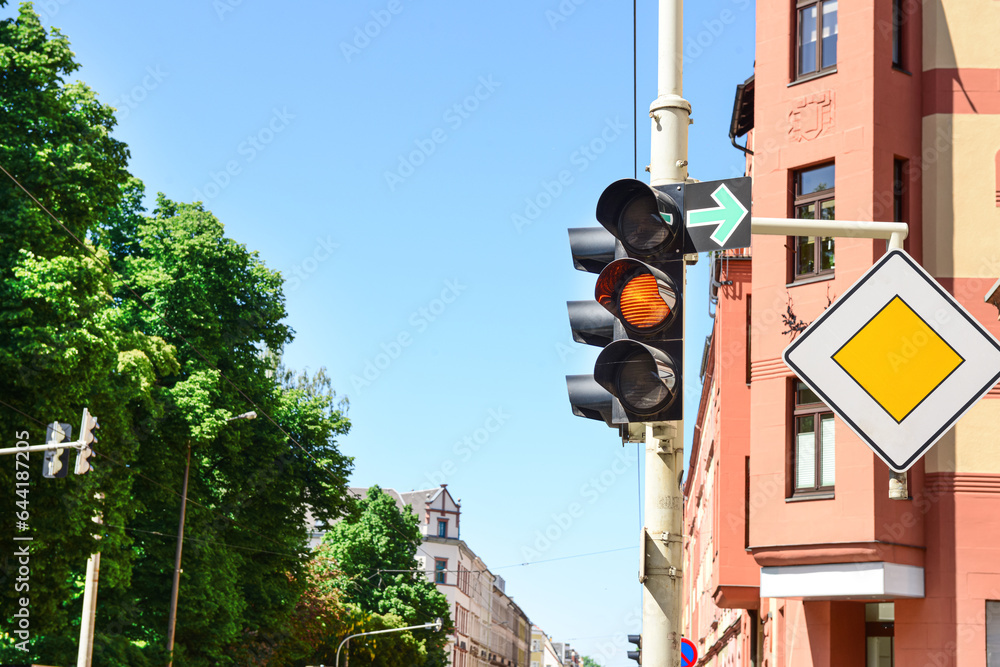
(796, 555)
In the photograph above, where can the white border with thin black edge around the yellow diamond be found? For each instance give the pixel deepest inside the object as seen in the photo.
(901, 444)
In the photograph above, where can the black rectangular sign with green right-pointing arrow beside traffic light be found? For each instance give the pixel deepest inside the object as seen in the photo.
(717, 215)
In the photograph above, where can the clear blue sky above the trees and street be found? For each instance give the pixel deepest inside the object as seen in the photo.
(344, 161)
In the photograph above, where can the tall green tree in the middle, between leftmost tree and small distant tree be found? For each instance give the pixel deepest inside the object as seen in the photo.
(251, 482)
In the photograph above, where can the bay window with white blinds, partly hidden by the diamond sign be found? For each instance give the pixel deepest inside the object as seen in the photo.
(815, 454)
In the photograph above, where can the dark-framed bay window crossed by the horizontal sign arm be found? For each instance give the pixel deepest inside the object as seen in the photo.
(814, 201)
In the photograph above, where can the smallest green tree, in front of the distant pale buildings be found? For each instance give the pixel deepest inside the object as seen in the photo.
(376, 568)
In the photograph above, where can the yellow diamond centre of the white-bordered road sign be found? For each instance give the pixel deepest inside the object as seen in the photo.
(898, 359)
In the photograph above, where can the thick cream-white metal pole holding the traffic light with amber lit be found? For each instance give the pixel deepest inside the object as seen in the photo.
(662, 541)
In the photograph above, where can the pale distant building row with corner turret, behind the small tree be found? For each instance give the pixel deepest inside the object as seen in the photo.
(490, 628)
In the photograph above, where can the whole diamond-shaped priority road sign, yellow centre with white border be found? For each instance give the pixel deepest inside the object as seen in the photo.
(897, 358)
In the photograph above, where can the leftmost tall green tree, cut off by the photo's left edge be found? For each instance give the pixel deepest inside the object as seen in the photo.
(62, 343)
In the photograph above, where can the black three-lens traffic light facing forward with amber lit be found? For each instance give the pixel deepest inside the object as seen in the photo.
(643, 290)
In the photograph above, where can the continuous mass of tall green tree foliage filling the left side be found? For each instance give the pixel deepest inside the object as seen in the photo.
(165, 329)
